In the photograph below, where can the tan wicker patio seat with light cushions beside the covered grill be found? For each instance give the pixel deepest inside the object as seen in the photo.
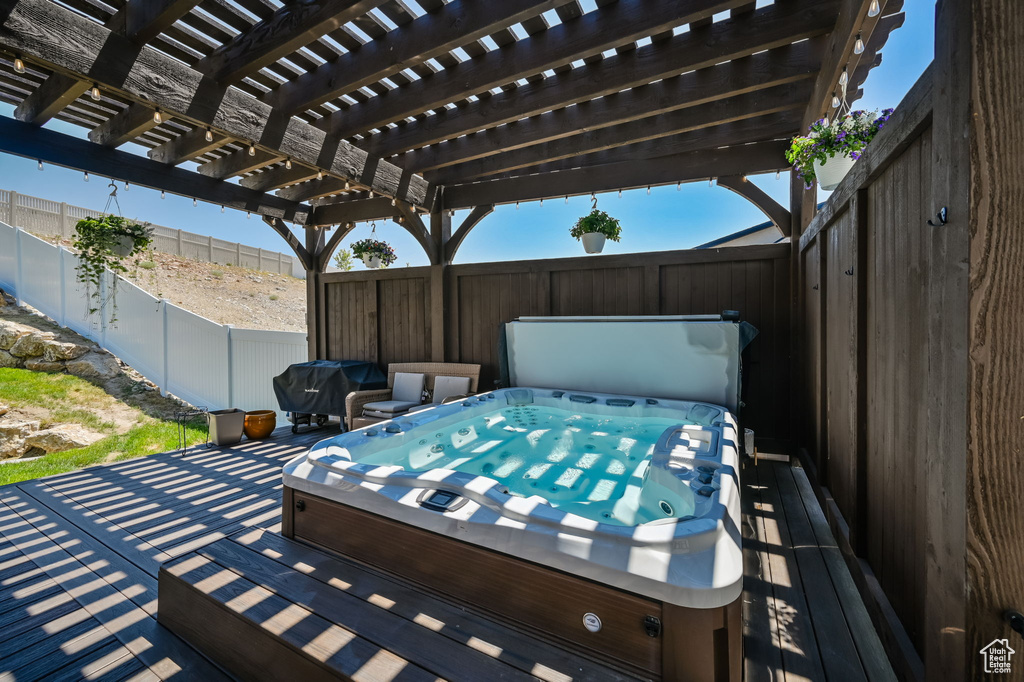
(362, 408)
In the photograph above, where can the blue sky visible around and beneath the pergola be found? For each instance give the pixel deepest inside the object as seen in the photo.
(665, 220)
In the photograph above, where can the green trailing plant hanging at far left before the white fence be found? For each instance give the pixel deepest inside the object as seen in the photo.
(104, 244)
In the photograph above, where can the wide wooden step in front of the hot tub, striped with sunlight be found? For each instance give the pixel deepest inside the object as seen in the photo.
(267, 608)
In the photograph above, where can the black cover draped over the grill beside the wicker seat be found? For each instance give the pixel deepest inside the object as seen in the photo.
(320, 388)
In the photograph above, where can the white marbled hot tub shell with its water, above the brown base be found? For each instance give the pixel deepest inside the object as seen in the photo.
(632, 492)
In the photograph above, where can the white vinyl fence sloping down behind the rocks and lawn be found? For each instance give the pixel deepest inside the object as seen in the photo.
(201, 362)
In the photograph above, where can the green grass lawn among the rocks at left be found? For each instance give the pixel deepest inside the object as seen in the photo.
(70, 400)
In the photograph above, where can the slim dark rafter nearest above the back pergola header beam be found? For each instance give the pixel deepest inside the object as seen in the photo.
(775, 126)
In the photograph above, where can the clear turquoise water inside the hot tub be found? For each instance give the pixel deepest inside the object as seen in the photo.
(591, 465)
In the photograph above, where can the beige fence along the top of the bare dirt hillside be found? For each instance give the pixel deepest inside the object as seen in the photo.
(42, 217)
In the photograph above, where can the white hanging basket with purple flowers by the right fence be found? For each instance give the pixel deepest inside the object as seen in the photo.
(830, 149)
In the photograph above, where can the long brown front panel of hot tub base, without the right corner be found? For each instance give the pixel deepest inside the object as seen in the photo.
(538, 599)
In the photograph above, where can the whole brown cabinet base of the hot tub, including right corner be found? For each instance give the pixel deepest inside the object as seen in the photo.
(649, 638)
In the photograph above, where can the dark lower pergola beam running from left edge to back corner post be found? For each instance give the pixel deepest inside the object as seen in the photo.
(26, 140)
